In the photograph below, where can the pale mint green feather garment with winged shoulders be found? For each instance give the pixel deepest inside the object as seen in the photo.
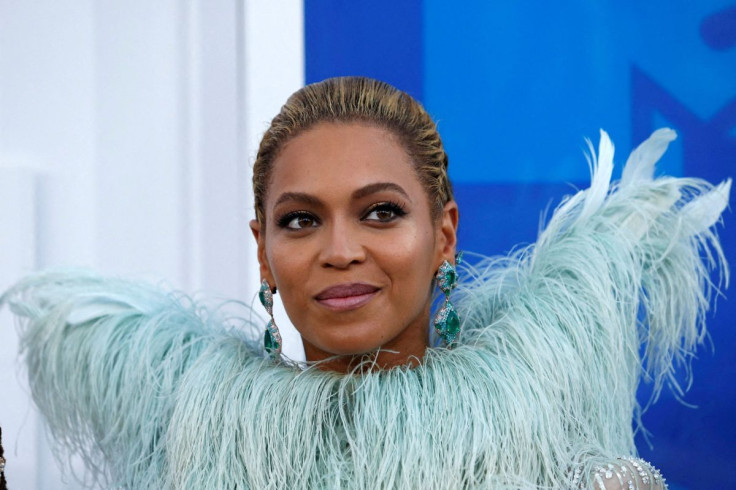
(156, 390)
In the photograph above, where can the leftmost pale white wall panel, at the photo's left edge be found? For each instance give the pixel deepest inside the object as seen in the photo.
(47, 117)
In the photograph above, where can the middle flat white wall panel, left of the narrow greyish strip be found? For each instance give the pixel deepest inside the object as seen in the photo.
(138, 194)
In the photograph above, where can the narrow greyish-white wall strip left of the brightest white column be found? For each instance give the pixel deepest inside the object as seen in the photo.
(218, 223)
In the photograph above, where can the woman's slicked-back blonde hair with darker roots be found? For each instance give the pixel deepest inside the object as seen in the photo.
(358, 99)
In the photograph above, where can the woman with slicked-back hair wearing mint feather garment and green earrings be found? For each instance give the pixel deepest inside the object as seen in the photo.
(356, 225)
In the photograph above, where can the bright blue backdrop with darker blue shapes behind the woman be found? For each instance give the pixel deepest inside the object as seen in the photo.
(515, 87)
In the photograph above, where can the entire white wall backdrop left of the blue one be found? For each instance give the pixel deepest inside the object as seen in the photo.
(127, 132)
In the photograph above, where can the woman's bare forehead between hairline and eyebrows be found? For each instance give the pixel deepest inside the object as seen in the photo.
(334, 159)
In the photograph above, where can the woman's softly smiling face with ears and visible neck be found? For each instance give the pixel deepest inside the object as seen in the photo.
(350, 243)
